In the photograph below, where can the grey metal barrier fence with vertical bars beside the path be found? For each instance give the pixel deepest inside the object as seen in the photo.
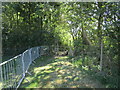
(13, 71)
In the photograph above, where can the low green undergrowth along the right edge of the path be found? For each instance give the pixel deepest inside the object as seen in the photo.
(110, 81)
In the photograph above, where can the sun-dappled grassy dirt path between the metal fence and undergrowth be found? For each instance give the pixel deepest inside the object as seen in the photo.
(58, 72)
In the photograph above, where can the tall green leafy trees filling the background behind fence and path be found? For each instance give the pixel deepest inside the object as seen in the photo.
(79, 27)
